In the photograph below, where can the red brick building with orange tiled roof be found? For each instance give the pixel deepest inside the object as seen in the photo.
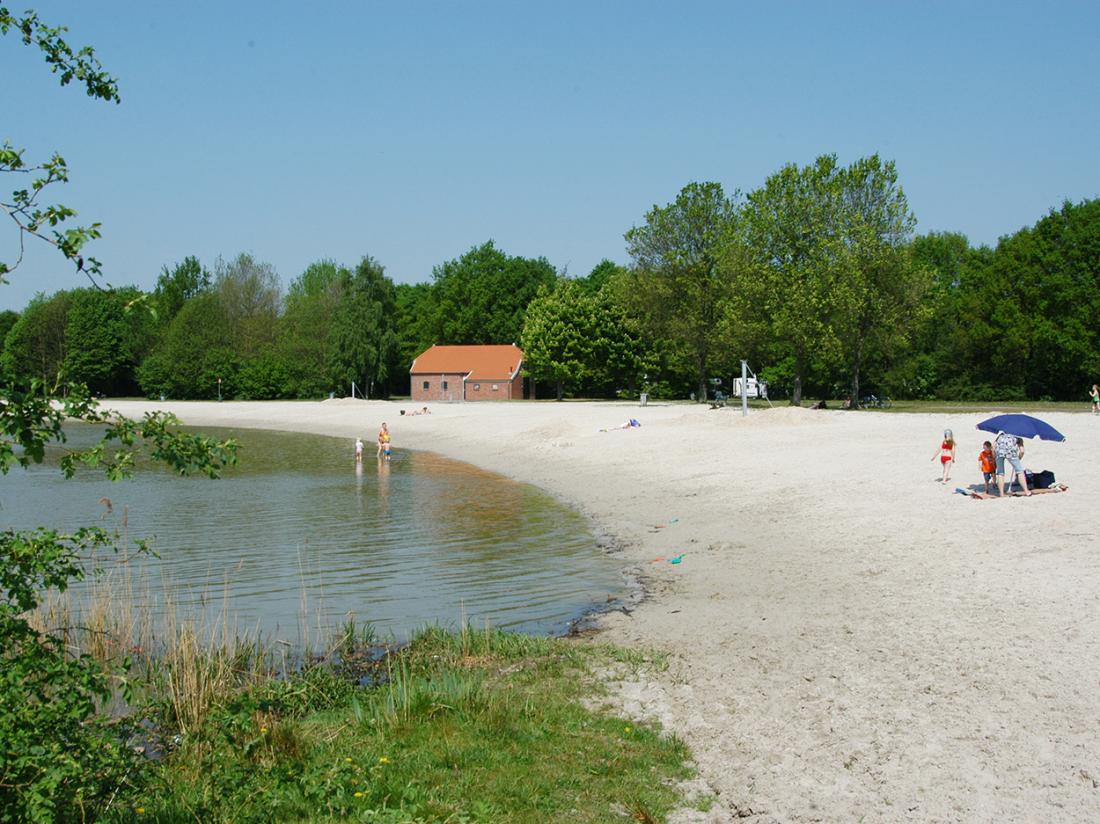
(468, 373)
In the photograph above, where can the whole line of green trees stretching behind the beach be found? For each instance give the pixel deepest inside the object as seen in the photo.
(817, 279)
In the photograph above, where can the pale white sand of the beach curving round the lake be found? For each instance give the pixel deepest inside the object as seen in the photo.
(850, 640)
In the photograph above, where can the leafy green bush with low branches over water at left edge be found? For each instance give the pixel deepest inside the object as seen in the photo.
(60, 760)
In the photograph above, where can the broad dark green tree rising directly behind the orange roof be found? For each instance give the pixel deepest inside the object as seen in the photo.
(482, 296)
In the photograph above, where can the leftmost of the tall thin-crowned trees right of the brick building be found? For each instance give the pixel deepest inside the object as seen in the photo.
(681, 290)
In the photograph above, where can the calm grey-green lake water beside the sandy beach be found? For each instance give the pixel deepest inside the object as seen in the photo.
(300, 537)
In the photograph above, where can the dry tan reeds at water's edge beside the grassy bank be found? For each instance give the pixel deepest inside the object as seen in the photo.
(185, 660)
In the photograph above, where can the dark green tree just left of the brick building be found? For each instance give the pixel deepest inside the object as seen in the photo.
(364, 333)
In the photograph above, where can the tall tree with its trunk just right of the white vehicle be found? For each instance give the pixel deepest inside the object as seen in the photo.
(795, 229)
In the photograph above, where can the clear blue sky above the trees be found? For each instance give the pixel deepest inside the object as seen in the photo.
(413, 131)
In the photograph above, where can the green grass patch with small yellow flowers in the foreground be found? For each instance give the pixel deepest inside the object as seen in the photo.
(469, 727)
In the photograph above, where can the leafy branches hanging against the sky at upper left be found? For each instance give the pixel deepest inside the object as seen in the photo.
(30, 217)
